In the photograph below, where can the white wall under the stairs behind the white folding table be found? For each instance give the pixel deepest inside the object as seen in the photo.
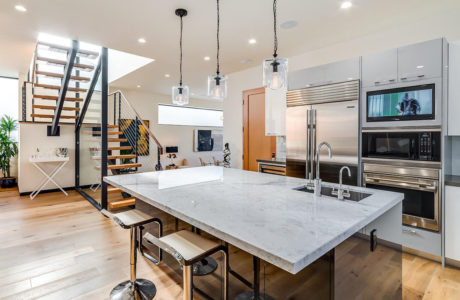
(33, 136)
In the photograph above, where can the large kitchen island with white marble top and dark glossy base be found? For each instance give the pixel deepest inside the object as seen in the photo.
(265, 216)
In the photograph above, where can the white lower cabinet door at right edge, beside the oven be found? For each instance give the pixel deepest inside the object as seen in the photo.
(452, 222)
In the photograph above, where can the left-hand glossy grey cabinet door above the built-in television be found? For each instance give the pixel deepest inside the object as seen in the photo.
(380, 68)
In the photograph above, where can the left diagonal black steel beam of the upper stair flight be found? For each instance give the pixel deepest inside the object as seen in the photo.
(64, 85)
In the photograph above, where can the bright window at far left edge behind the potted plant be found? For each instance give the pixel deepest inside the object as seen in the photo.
(9, 98)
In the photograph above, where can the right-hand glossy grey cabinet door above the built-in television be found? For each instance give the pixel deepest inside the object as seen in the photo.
(420, 61)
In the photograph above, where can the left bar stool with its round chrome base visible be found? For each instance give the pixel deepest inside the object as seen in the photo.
(134, 288)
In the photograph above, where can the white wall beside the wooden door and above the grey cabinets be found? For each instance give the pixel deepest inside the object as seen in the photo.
(435, 26)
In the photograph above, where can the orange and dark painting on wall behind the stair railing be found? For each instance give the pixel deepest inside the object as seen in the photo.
(135, 133)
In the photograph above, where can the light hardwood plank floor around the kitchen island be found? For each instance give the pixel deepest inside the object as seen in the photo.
(57, 247)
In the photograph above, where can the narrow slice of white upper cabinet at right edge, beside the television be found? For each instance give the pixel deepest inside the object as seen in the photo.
(453, 111)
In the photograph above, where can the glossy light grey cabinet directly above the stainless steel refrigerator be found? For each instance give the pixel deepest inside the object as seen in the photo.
(324, 74)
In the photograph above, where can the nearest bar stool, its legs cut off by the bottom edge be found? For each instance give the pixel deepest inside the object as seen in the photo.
(188, 248)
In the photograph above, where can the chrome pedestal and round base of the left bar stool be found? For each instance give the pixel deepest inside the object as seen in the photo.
(133, 289)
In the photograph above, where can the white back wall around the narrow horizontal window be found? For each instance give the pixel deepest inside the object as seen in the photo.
(146, 104)
